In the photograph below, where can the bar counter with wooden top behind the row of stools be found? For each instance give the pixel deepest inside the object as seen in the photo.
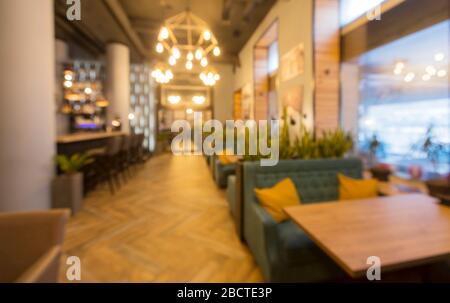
(83, 141)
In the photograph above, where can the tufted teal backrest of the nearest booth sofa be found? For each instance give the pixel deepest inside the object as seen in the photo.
(315, 180)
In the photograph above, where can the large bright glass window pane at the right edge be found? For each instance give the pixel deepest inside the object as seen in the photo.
(404, 100)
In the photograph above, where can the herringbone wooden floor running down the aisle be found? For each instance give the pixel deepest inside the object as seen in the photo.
(169, 223)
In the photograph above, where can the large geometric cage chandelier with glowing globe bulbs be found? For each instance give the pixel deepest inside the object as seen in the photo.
(188, 39)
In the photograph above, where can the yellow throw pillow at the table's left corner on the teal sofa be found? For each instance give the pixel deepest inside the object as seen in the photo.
(274, 199)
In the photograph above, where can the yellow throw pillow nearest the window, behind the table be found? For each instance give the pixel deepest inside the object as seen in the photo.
(350, 189)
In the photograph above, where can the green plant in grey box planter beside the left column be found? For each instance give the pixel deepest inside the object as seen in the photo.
(67, 188)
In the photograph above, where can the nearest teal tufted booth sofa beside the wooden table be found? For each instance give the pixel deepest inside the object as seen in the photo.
(282, 250)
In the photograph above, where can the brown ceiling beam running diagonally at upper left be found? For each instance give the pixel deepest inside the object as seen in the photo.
(121, 17)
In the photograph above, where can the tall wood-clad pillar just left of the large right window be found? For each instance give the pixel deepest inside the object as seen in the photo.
(326, 64)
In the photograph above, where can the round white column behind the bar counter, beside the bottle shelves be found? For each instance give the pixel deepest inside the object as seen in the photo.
(118, 83)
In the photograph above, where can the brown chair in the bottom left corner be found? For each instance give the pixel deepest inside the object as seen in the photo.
(31, 245)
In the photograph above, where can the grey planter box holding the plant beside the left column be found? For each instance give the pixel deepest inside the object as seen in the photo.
(67, 192)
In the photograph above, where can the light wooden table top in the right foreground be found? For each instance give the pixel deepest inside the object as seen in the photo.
(403, 231)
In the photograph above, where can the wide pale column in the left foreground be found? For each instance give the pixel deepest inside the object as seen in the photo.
(27, 112)
